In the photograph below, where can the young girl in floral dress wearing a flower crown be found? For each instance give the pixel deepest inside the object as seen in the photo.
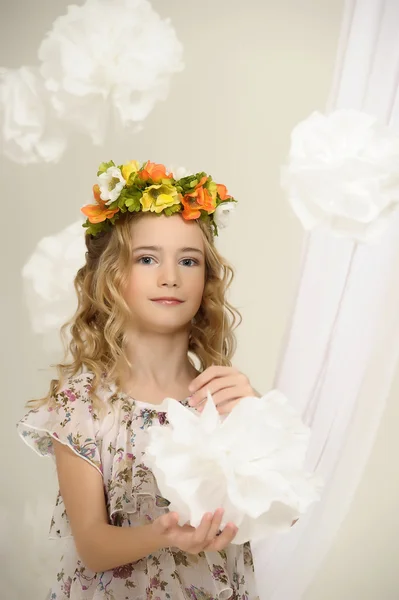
(151, 305)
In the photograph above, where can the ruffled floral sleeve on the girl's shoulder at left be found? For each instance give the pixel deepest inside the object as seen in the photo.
(69, 418)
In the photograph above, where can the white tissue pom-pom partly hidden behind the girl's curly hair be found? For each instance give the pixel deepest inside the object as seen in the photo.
(48, 278)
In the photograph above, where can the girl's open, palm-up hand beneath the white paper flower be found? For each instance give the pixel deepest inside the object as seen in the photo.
(193, 540)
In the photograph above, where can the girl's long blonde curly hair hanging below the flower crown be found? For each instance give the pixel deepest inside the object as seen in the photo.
(97, 337)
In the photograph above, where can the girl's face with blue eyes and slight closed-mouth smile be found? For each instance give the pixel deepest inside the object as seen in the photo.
(167, 276)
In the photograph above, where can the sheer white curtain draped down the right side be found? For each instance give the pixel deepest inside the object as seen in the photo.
(342, 343)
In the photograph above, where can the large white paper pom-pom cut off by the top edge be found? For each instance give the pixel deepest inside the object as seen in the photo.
(104, 55)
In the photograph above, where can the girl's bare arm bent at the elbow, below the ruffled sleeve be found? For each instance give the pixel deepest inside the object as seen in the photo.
(101, 546)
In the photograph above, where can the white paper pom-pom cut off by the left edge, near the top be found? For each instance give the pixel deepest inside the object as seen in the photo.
(28, 130)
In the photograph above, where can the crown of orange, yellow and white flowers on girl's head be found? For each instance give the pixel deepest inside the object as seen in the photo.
(149, 187)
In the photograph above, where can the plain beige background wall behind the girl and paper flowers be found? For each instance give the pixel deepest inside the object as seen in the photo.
(253, 70)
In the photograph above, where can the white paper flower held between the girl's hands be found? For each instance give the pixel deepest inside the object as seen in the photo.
(250, 463)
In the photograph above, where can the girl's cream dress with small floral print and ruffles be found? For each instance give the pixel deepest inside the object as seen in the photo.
(113, 442)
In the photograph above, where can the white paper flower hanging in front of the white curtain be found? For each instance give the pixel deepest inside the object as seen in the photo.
(343, 174)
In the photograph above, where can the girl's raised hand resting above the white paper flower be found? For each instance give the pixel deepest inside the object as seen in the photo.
(226, 384)
